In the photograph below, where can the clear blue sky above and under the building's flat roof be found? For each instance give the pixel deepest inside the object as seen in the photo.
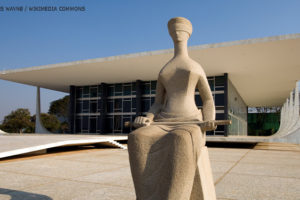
(115, 27)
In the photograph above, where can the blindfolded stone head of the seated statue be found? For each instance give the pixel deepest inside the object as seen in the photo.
(180, 29)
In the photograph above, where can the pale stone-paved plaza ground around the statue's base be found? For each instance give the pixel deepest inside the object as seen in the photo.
(104, 174)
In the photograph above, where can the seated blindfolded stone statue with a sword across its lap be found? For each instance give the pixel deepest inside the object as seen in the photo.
(163, 158)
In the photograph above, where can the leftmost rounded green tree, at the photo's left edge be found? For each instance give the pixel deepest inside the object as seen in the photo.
(17, 121)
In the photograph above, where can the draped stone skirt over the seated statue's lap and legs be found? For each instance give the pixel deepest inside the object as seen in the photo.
(163, 159)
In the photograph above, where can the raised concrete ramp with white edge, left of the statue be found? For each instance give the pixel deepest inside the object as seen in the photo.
(16, 144)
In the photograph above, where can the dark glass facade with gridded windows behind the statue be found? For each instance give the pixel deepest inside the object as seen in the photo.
(104, 108)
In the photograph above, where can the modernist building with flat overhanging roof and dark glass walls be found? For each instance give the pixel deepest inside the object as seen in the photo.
(107, 92)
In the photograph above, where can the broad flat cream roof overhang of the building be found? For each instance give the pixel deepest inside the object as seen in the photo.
(263, 70)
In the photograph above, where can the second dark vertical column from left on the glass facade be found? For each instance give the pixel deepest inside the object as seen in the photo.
(102, 125)
